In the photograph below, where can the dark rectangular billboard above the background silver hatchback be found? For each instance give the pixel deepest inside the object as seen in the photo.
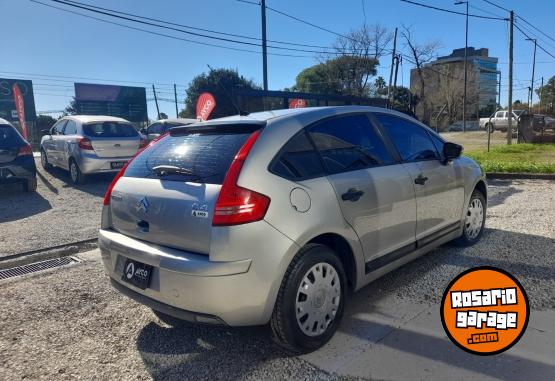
(126, 102)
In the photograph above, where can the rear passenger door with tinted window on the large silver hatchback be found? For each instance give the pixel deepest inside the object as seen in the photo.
(374, 191)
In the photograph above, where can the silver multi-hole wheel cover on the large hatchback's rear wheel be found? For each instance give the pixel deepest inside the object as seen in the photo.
(318, 298)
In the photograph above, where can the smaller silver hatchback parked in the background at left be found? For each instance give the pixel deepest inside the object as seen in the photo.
(86, 144)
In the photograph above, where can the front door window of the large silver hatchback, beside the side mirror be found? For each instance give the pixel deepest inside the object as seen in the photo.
(411, 140)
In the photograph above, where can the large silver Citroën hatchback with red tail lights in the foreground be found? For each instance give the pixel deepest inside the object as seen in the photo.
(274, 217)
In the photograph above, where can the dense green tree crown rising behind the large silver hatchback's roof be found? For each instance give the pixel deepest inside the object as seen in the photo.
(343, 75)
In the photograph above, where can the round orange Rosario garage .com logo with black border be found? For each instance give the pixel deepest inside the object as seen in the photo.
(485, 311)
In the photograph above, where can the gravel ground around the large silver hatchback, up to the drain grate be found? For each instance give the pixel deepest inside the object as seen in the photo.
(70, 324)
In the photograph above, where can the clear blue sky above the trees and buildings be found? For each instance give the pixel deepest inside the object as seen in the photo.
(40, 40)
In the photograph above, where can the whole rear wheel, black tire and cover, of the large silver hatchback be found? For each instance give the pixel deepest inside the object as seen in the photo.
(316, 266)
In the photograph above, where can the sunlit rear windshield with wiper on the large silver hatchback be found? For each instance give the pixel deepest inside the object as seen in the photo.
(200, 158)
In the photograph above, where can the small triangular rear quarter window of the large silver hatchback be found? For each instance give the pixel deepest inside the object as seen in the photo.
(297, 160)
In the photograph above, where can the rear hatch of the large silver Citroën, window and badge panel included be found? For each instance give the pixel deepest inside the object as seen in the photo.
(168, 193)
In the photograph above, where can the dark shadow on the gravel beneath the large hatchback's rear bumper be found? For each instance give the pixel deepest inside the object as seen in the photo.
(172, 353)
